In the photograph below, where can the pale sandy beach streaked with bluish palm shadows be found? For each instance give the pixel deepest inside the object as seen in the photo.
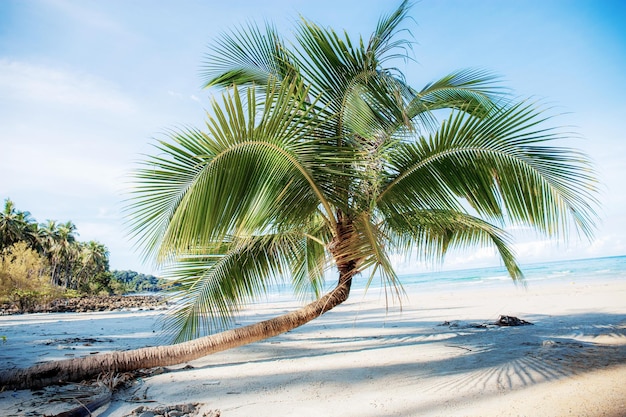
(437, 356)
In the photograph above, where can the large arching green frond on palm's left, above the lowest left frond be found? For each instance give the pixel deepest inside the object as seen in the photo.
(234, 179)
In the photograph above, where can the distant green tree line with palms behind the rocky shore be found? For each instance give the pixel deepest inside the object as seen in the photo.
(40, 261)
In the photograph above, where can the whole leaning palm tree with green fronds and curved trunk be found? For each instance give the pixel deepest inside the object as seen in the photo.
(320, 157)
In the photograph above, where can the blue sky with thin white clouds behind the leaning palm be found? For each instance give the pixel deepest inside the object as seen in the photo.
(86, 85)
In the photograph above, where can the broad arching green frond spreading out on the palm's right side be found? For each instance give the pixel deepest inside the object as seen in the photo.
(503, 166)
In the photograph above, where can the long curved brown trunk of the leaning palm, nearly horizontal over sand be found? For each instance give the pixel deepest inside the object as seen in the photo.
(78, 369)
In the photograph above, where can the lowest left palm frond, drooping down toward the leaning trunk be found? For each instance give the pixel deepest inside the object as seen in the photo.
(215, 281)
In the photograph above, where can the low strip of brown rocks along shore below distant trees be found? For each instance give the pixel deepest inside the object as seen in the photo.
(93, 303)
